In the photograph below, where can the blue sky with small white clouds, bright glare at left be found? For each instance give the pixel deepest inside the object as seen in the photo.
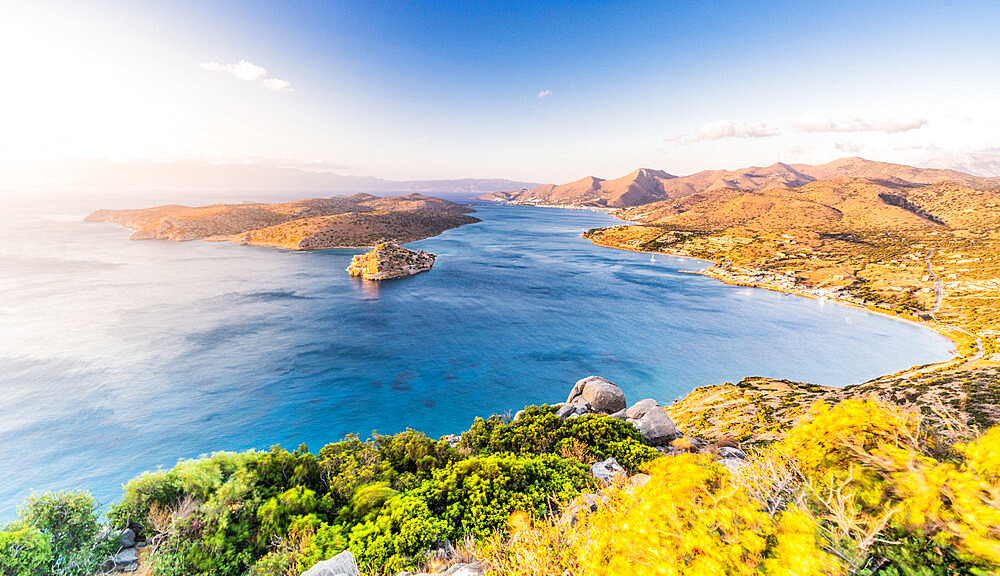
(543, 91)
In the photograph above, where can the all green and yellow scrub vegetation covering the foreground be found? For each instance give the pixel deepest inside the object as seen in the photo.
(861, 487)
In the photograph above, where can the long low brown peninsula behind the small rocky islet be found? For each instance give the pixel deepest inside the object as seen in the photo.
(311, 224)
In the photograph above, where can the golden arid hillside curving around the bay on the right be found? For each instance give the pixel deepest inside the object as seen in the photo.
(926, 251)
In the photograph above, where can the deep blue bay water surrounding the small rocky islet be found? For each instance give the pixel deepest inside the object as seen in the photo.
(118, 357)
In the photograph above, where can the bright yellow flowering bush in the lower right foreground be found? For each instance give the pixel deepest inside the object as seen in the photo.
(860, 488)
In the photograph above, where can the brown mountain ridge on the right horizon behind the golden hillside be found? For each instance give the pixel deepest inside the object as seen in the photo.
(645, 186)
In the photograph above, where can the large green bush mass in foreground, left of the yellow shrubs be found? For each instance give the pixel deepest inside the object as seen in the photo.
(388, 499)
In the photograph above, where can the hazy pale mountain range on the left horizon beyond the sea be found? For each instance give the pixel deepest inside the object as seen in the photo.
(94, 174)
